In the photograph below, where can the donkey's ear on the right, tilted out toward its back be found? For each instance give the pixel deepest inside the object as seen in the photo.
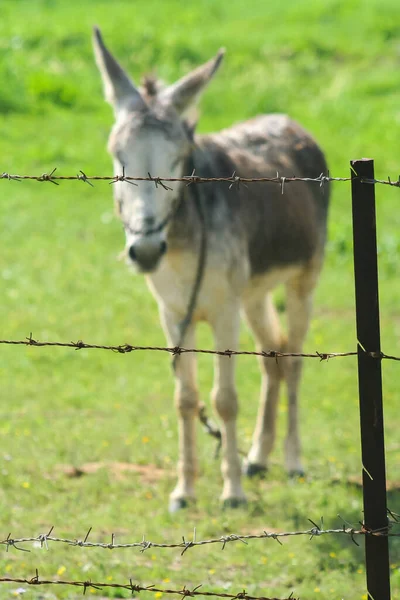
(184, 93)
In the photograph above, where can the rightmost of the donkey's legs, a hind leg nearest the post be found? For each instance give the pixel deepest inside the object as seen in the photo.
(299, 305)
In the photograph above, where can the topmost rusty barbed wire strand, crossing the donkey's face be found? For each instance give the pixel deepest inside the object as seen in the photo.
(189, 179)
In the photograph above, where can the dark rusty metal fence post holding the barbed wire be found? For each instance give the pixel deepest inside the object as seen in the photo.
(370, 378)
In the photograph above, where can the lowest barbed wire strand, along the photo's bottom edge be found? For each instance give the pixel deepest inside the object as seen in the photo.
(184, 592)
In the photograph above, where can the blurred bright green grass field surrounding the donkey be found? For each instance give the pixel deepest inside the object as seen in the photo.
(332, 65)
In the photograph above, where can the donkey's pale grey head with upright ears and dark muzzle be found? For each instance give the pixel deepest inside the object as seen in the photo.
(150, 136)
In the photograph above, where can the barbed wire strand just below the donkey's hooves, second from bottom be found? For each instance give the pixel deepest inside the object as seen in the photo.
(315, 531)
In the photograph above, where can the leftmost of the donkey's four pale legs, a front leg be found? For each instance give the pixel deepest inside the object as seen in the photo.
(186, 402)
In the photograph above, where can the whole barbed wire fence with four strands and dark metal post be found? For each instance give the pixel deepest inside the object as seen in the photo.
(376, 528)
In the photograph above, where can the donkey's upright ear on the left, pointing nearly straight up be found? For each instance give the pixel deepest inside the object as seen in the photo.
(119, 90)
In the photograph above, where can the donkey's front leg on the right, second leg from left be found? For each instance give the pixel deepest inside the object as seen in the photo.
(224, 397)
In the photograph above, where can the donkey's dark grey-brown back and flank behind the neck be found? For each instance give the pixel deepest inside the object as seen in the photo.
(284, 225)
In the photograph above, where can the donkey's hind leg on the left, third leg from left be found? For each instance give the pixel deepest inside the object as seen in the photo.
(263, 319)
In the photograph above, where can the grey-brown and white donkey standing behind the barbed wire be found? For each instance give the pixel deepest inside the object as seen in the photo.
(256, 238)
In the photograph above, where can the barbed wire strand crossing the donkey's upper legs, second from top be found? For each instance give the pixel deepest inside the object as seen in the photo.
(177, 350)
